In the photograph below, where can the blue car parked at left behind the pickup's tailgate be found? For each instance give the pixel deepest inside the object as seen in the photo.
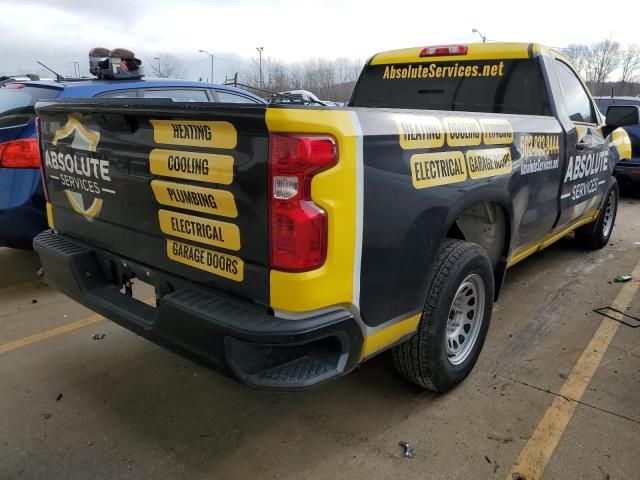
(22, 200)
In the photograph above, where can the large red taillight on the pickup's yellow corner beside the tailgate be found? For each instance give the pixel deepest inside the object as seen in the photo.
(299, 227)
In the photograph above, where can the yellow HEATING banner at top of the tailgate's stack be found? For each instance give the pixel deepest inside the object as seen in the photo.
(195, 133)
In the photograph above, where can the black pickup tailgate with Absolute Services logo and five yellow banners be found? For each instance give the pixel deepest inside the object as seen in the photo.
(178, 187)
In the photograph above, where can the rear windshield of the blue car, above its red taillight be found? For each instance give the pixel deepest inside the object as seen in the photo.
(16, 104)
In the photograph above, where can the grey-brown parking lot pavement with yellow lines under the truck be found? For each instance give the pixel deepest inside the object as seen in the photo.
(555, 395)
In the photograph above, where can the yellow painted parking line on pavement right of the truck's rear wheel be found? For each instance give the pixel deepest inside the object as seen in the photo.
(538, 451)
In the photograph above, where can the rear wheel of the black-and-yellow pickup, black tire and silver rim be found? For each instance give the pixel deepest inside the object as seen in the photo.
(454, 321)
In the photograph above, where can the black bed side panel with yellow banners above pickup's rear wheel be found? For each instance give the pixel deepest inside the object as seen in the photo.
(444, 164)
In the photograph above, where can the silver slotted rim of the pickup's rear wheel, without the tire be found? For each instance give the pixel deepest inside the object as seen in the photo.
(465, 319)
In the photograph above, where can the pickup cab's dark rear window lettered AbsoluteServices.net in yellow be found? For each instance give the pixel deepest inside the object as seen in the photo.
(496, 86)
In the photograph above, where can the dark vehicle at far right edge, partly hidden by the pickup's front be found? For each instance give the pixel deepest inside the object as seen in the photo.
(627, 173)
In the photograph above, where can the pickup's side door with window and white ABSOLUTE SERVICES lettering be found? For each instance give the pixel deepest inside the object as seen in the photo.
(586, 163)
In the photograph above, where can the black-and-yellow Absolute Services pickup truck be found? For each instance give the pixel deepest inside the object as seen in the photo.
(287, 245)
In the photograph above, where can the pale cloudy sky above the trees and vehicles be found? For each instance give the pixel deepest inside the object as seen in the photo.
(61, 32)
